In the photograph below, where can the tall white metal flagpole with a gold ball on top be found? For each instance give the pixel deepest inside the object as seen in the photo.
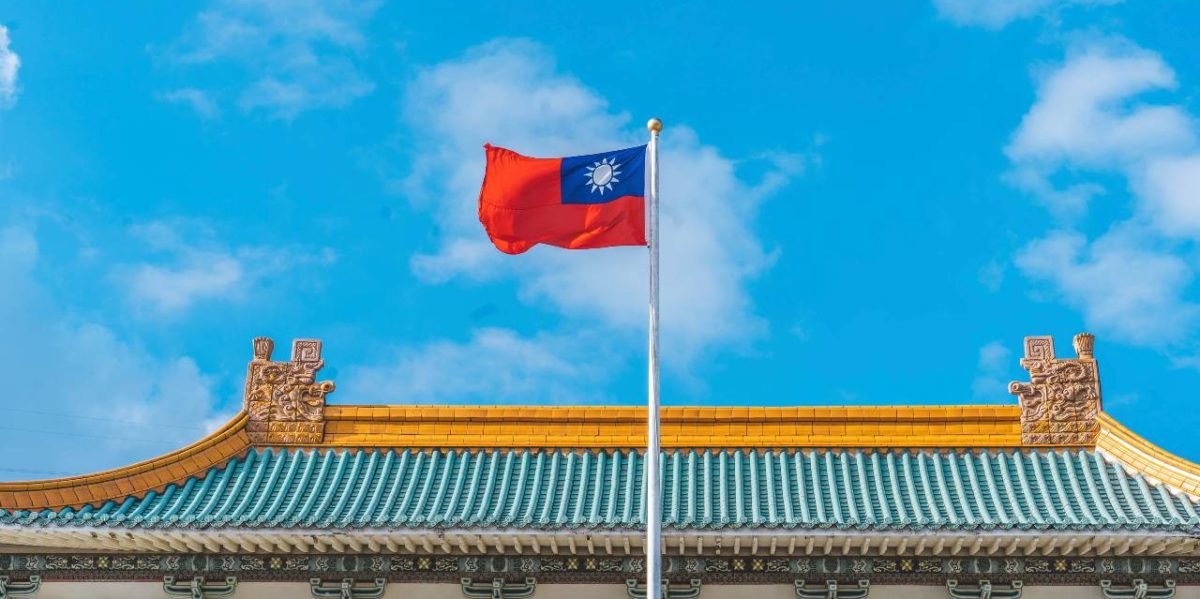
(653, 500)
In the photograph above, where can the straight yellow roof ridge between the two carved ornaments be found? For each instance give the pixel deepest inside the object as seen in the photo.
(682, 427)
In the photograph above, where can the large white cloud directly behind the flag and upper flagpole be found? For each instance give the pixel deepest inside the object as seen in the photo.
(511, 93)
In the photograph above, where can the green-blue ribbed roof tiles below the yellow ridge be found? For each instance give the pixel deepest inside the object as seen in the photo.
(1042, 489)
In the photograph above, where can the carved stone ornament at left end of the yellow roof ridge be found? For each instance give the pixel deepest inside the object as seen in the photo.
(284, 400)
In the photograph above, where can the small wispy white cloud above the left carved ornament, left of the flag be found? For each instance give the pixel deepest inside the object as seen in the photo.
(195, 268)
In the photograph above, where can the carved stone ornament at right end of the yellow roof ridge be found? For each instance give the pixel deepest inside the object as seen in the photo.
(1061, 404)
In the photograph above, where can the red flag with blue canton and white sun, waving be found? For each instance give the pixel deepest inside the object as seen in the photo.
(577, 202)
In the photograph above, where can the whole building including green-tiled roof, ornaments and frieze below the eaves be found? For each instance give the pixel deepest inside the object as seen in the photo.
(1046, 499)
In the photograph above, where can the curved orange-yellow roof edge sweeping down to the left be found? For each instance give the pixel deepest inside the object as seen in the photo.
(230, 441)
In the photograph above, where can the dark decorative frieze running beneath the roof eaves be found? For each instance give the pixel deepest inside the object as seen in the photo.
(557, 570)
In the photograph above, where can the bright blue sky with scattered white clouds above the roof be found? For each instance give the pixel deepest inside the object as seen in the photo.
(861, 206)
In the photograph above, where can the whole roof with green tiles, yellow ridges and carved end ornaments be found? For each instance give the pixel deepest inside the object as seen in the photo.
(1055, 462)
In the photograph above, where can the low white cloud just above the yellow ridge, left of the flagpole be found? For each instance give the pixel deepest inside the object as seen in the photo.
(495, 367)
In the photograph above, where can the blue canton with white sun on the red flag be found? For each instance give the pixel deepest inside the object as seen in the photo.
(601, 178)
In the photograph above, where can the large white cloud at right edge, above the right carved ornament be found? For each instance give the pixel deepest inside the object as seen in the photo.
(1089, 123)
